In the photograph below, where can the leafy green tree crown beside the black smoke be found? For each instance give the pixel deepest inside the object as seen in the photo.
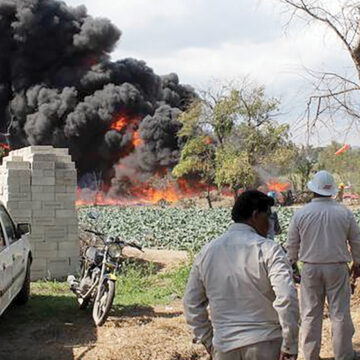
(228, 133)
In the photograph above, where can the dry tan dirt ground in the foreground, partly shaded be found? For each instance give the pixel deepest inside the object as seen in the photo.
(131, 333)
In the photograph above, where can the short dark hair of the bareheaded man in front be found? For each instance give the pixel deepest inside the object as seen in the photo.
(248, 202)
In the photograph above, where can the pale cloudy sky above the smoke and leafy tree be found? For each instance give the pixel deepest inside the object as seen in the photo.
(207, 40)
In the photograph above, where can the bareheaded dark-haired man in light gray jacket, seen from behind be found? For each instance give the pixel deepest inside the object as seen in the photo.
(246, 280)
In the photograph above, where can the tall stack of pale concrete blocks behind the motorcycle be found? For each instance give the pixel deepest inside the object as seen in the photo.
(38, 185)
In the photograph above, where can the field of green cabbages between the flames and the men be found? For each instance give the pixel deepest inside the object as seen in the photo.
(170, 228)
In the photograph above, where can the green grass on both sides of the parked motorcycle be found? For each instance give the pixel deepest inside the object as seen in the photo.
(137, 284)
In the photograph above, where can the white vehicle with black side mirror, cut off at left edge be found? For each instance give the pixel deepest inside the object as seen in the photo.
(15, 261)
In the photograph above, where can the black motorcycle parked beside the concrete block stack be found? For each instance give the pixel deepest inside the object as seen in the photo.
(98, 274)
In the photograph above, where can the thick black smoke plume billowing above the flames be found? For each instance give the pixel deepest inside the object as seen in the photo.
(58, 86)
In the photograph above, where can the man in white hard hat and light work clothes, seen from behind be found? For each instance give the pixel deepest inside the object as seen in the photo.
(325, 237)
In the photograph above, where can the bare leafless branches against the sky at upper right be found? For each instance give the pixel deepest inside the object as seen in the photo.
(334, 93)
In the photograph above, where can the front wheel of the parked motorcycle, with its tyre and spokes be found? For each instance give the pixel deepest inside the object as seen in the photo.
(103, 302)
